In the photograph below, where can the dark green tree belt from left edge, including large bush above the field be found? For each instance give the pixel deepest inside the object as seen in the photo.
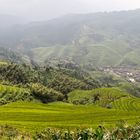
(46, 84)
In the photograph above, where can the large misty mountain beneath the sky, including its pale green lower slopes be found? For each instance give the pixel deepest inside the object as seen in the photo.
(99, 39)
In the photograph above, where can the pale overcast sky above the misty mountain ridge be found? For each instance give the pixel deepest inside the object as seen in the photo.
(34, 10)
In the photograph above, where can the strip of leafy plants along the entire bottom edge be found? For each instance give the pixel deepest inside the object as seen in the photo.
(122, 131)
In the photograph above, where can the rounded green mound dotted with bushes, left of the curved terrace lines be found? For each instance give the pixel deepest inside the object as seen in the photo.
(101, 96)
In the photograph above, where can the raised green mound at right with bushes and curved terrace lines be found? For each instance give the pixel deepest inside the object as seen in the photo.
(106, 97)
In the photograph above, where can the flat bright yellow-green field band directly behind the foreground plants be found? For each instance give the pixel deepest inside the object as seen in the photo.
(36, 116)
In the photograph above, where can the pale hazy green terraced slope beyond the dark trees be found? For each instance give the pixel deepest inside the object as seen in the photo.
(105, 53)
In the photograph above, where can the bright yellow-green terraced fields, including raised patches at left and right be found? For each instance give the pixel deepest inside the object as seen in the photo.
(34, 116)
